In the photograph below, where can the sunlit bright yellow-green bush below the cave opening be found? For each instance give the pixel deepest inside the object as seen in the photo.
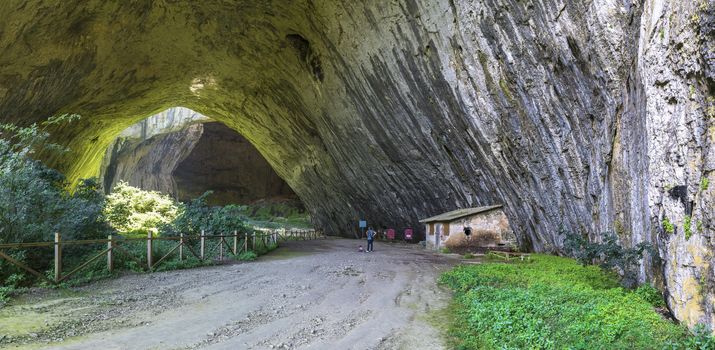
(133, 210)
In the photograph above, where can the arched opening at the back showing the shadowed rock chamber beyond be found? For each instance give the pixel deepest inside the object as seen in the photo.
(184, 154)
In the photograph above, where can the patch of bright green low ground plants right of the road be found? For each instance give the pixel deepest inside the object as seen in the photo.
(554, 303)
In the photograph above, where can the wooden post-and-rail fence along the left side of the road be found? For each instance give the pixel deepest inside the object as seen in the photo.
(233, 244)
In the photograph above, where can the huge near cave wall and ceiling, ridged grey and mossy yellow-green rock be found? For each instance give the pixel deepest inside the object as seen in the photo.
(588, 115)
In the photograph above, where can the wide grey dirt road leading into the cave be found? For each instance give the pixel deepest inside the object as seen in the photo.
(305, 295)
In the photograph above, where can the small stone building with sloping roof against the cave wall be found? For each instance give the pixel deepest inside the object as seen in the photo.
(489, 226)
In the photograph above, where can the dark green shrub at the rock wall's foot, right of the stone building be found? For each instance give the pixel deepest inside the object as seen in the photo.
(609, 254)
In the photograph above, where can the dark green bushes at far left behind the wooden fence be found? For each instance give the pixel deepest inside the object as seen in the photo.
(34, 202)
